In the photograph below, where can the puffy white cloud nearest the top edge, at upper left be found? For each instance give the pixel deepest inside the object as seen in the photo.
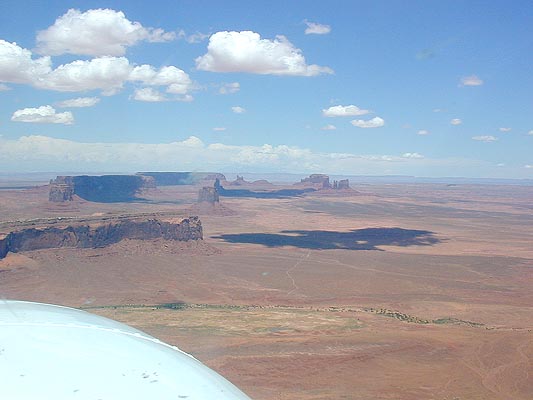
(99, 32)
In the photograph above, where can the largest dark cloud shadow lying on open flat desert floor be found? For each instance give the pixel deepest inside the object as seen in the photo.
(356, 239)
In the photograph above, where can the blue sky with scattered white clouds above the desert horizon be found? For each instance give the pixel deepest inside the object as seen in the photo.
(422, 88)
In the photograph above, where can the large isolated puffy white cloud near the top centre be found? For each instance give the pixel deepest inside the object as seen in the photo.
(246, 52)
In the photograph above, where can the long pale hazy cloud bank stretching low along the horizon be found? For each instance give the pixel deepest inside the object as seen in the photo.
(45, 153)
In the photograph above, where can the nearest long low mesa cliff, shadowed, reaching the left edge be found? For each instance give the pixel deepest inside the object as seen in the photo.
(102, 235)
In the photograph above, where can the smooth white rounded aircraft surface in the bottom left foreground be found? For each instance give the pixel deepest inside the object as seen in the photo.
(55, 352)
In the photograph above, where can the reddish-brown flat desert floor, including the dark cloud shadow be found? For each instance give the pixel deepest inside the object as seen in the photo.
(390, 292)
